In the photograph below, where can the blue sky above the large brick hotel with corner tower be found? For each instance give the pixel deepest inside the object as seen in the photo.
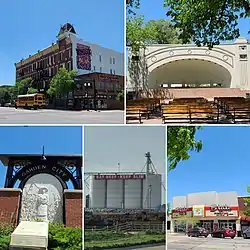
(28, 26)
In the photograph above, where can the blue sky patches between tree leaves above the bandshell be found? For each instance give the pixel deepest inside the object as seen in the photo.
(154, 10)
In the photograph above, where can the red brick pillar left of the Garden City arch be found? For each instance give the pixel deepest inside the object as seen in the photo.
(9, 205)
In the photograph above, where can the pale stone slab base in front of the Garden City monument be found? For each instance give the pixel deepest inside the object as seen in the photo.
(30, 235)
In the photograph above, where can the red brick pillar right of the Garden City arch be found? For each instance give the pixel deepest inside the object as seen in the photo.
(73, 208)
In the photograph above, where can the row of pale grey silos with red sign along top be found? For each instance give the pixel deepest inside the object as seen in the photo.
(125, 191)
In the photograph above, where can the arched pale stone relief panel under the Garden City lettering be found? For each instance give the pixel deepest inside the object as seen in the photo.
(42, 199)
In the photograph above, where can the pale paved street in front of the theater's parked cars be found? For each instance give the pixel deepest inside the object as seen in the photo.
(184, 243)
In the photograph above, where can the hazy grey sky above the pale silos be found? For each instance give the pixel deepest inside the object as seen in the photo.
(105, 147)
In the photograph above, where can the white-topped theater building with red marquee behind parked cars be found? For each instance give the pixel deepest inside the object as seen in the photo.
(213, 210)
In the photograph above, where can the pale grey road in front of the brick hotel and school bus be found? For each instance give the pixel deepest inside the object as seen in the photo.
(48, 116)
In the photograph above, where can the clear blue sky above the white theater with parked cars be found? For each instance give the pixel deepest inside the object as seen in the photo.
(222, 165)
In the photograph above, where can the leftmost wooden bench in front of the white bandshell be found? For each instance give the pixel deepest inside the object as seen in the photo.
(137, 113)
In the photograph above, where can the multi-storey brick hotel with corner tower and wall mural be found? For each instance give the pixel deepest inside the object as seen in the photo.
(100, 71)
